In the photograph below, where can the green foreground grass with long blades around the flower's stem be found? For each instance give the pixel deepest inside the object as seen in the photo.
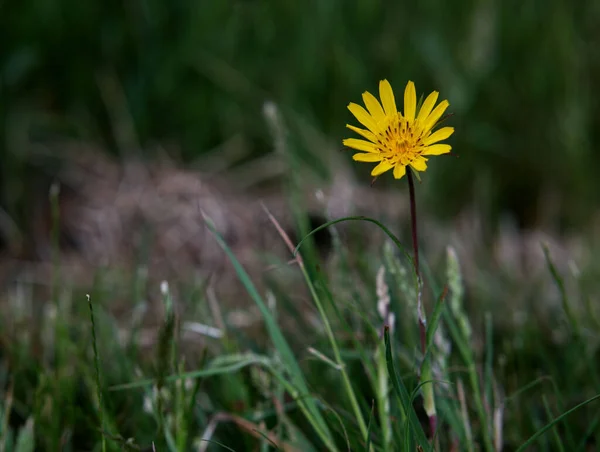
(292, 393)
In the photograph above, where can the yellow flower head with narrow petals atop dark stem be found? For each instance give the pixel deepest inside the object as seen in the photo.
(397, 140)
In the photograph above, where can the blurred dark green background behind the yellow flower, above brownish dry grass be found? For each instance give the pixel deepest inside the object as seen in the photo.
(522, 79)
